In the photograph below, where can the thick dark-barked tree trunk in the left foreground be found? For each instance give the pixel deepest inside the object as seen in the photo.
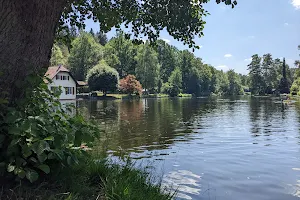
(27, 30)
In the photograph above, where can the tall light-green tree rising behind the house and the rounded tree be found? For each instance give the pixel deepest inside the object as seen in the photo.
(85, 54)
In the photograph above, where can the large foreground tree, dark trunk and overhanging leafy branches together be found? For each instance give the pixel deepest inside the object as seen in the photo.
(27, 43)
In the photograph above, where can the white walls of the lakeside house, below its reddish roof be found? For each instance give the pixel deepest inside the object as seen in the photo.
(63, 84)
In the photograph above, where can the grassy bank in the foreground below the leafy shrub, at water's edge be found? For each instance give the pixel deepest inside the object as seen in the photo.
(91, 179)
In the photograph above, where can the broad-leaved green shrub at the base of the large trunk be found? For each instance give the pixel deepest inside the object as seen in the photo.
(37, 135)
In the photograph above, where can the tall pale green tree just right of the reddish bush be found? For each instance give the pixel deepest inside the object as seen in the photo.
(147, 68)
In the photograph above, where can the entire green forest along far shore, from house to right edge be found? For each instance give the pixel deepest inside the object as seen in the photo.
(163, 68)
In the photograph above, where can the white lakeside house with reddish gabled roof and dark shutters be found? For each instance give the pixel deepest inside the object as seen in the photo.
(61, 77)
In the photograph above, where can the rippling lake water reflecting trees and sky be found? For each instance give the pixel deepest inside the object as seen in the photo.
(239, 148)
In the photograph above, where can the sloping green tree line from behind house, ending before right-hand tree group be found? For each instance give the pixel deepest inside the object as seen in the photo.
(160, 68)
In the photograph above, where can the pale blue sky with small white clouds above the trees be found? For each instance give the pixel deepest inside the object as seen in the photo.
(253, 26)
